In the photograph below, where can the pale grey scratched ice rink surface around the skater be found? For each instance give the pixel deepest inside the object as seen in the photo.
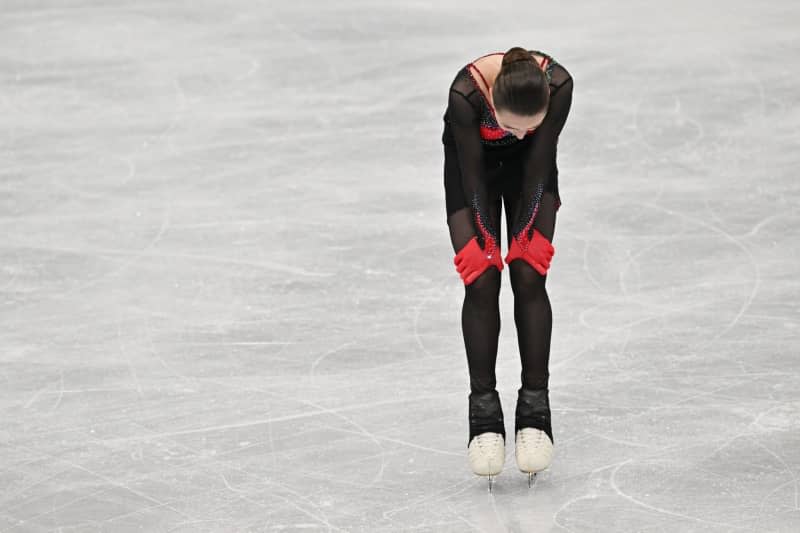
(228, 297)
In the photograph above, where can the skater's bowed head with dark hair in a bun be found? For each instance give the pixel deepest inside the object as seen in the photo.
(520, 94)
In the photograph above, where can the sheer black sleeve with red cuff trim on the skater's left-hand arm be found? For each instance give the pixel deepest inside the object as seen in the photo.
(463, 120)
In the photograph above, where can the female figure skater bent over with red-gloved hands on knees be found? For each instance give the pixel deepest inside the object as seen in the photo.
(504, 115)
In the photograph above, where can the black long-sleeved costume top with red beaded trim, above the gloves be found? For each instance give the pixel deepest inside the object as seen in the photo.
(476, 147)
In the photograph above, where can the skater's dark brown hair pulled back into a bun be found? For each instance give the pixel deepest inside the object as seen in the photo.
(521, 86)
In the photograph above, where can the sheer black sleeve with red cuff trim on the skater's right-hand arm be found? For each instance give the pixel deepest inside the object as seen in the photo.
(539, 163)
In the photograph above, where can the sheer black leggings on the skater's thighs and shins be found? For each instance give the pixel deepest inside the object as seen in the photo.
(480, 315)
